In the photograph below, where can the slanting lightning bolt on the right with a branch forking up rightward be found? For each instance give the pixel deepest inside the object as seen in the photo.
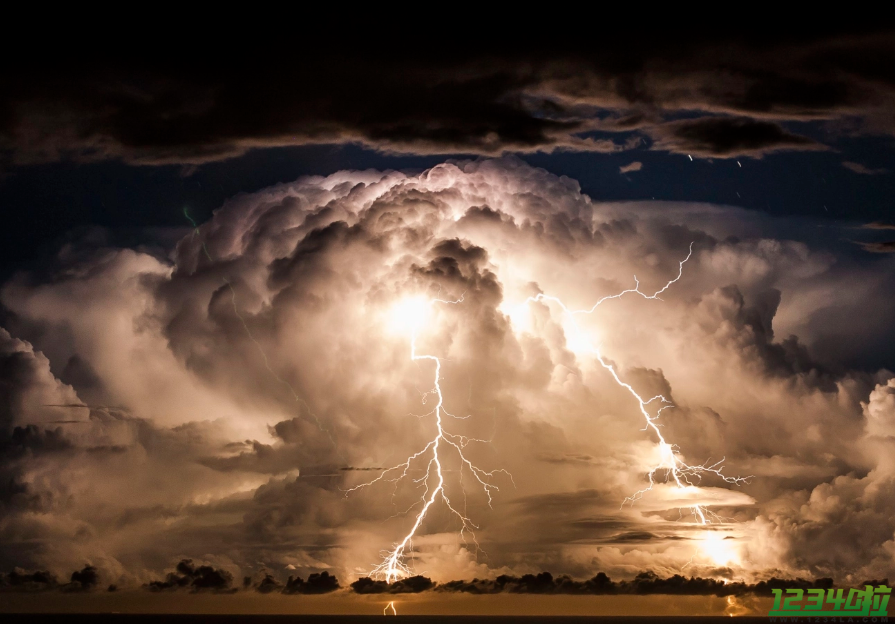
(674, 467)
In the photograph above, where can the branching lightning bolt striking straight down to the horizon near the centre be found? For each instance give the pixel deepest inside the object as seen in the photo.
(393, 566)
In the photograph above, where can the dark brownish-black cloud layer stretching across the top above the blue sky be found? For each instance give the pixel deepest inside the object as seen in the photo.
(504, 97)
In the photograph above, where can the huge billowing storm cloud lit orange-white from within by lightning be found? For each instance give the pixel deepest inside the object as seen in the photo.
(214, 405)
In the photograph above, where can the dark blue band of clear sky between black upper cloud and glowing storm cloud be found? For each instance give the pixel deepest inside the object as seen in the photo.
(43, 202)
